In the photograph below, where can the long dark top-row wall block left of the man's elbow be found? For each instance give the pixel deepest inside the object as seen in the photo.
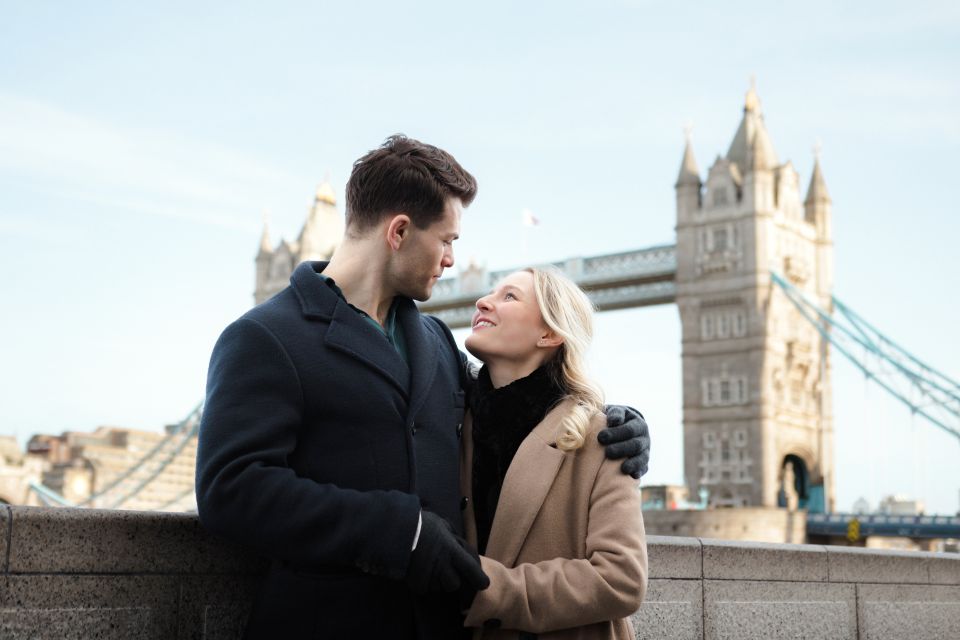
(46, 540)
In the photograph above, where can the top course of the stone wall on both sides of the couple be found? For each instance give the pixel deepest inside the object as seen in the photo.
(77, 541)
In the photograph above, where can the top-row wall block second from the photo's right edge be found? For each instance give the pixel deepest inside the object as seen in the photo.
(853, 564)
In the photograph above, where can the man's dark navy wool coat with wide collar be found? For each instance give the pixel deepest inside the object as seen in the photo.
(318, 448)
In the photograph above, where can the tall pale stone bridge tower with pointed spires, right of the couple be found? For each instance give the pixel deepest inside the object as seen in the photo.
(757, 418)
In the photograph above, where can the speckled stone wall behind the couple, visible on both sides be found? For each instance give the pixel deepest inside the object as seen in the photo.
(120, 574)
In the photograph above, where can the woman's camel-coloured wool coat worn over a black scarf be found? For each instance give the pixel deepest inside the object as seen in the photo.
(567, 555)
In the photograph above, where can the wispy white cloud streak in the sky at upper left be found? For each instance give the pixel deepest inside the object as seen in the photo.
(147, 171)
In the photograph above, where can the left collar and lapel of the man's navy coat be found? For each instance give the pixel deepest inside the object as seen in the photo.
(348, 333)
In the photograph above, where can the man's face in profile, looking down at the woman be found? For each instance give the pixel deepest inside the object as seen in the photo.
(425, 253)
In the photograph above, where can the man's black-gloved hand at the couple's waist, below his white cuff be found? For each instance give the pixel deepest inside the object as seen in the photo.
(441, 561)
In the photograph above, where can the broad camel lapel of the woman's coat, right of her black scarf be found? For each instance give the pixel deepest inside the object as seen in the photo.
(525, 487)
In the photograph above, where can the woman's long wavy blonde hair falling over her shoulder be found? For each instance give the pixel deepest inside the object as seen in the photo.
(568, 312)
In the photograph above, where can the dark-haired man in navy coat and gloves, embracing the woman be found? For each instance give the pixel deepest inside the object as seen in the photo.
(333, 415)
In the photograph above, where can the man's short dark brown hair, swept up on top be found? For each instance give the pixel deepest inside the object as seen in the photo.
(405, 175)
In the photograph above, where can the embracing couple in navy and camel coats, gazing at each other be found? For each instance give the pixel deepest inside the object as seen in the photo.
(397, 492)
